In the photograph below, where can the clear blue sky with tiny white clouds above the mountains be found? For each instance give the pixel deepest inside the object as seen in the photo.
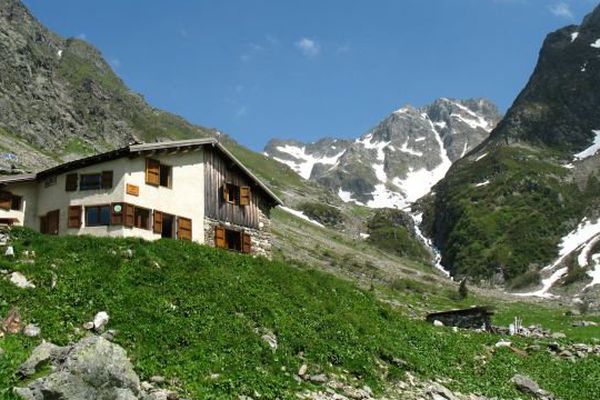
(258, 69)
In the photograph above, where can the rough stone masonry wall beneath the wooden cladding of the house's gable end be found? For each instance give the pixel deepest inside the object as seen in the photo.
(262, 238)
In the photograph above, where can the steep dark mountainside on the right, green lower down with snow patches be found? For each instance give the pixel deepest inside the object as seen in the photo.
(514, 208)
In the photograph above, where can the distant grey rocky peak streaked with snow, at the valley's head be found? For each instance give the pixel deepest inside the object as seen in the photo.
(400, 159)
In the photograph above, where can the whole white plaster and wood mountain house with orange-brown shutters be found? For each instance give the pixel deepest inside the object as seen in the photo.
(192, 190)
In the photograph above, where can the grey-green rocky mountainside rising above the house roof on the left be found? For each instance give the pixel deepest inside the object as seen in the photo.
(59, 99)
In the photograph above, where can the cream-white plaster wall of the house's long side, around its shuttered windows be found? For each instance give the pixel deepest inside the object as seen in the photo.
(185, 198)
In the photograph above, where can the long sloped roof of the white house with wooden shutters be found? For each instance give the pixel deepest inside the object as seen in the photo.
(139, 148)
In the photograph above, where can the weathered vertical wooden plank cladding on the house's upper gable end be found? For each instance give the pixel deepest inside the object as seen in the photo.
(220, 171)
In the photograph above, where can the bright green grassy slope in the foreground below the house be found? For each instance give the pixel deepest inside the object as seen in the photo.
(196, 314)
